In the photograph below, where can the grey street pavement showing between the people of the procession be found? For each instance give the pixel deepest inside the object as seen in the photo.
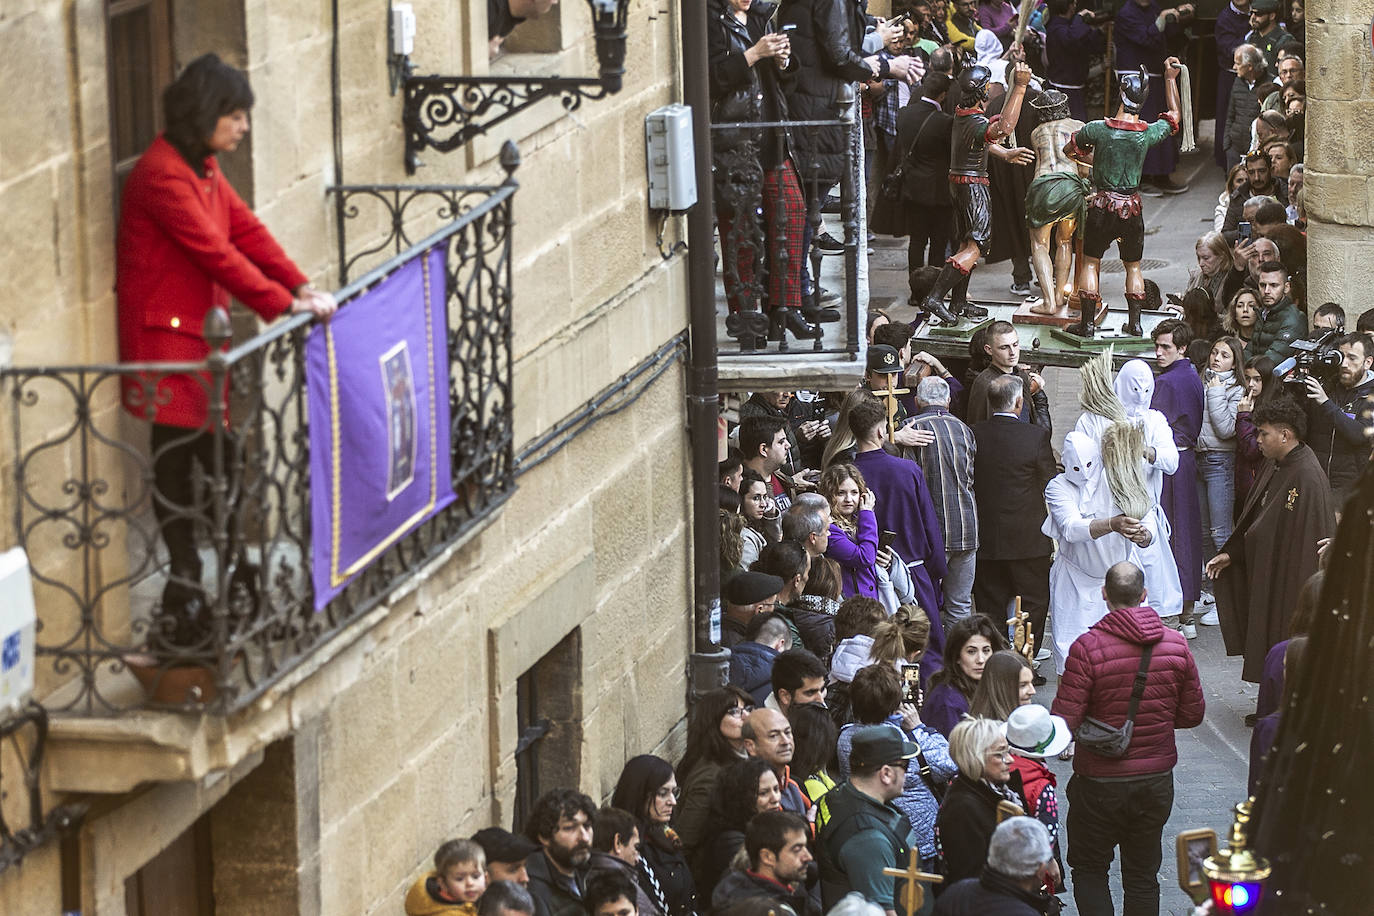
(1214, 759)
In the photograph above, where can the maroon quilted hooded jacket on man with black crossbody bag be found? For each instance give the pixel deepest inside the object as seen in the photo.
(1099, 679)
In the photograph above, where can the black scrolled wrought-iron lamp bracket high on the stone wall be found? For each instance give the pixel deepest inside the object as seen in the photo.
(444, 113)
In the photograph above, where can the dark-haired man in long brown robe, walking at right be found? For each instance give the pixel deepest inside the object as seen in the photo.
(1273, 551)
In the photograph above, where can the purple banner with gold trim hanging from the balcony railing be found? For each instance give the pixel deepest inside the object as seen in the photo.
(377, 382)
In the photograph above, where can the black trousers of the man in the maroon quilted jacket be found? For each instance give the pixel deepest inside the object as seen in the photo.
(1105, 815)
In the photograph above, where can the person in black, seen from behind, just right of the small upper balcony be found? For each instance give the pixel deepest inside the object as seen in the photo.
(924, 139)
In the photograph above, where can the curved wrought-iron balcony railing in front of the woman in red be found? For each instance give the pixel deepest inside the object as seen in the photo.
(83, 498)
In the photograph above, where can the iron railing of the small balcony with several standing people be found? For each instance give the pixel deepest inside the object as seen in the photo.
(759, 236)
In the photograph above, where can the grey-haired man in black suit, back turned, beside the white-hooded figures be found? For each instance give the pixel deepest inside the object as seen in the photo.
(1013, 551)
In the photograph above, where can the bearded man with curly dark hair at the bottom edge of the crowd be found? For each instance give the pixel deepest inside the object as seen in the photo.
(563, 826)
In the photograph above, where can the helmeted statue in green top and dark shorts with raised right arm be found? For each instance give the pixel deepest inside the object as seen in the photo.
(1119, 148)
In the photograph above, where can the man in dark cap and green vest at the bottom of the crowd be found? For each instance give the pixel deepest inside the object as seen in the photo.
(862, 832)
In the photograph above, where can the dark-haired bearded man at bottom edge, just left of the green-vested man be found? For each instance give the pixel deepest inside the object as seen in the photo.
(778, 859)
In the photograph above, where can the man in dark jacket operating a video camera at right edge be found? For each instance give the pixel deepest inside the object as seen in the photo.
(1339, 421)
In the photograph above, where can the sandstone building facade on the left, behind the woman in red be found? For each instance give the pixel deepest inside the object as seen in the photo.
(333, 790)
